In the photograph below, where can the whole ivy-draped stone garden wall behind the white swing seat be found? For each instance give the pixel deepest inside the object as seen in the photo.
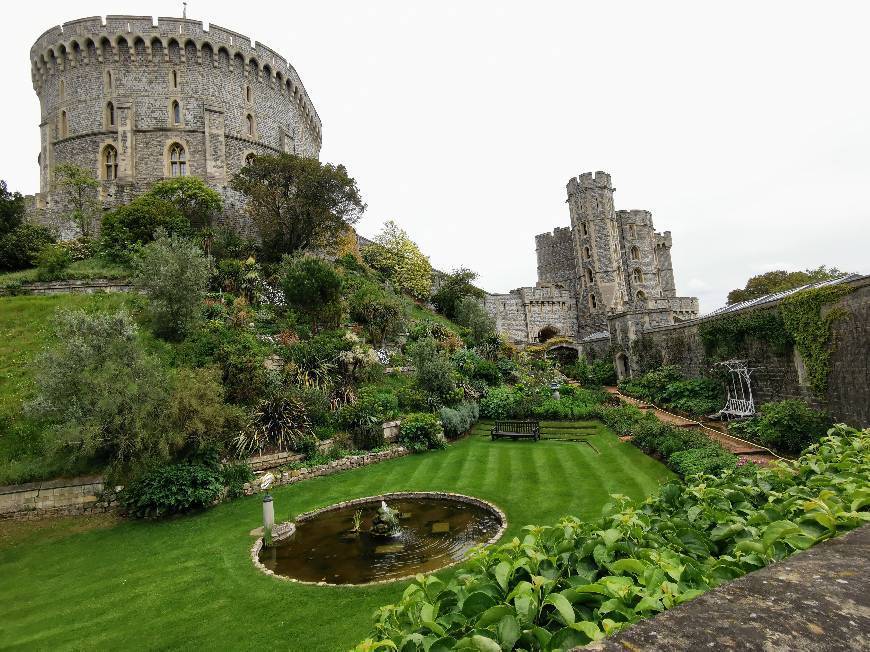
(814, 346)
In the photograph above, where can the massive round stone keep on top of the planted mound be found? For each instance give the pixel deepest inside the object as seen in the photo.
(137, 100)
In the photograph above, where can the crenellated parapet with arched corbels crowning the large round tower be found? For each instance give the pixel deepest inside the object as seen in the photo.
(70, 44)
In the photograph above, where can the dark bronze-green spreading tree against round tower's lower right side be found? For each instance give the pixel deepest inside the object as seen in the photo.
(298, 203)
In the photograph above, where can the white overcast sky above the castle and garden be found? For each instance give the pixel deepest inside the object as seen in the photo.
(743, 127)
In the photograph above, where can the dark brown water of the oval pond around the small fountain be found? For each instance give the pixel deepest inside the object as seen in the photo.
(433, 533)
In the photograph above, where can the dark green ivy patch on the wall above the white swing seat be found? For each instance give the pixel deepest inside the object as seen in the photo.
(723, 337)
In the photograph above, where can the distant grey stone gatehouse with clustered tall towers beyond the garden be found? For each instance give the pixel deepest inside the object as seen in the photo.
(609, 264)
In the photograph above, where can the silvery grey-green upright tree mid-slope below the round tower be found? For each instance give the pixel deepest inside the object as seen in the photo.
(173, 272)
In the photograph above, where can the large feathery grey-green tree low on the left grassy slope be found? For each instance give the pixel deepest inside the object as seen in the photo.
(102, 396)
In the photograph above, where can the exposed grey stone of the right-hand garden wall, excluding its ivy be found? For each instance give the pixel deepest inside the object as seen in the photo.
(782, 375)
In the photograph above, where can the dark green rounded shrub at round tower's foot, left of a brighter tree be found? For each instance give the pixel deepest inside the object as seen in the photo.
(129, 227)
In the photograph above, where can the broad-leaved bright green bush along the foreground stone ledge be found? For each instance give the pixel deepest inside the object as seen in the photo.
(578, 581)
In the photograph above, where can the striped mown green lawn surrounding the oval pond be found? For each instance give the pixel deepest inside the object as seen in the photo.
(189, 582)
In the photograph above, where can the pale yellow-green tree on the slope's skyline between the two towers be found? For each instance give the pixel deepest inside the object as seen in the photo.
(399, 258)
